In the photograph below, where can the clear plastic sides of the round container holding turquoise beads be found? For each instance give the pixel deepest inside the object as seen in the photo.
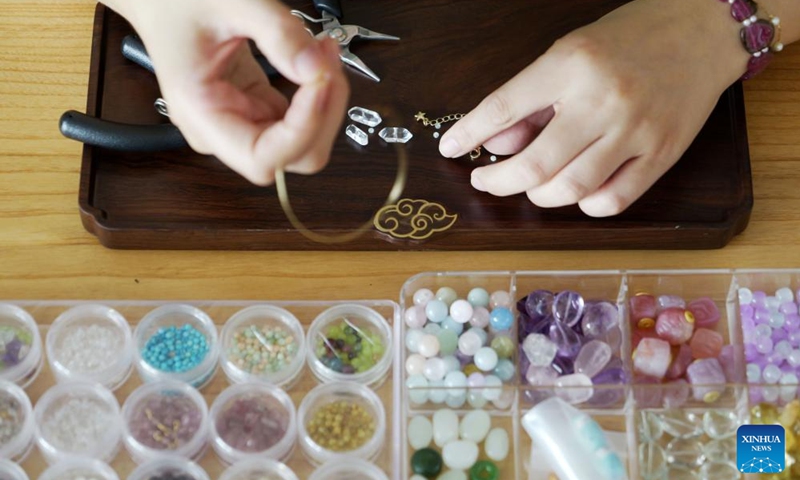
(178, 316)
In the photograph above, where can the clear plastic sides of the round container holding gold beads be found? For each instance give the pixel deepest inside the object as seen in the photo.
(348, 393)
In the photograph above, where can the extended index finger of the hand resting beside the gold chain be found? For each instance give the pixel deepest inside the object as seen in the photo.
(530, 91)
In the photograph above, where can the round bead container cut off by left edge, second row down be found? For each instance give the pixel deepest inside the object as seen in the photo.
(17, 426)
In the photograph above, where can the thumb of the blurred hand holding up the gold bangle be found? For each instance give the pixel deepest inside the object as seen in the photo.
(281, 37)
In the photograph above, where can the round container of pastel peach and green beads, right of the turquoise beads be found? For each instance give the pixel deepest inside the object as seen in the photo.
(263, 343)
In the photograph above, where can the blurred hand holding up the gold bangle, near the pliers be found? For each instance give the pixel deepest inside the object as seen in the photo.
(220, 98)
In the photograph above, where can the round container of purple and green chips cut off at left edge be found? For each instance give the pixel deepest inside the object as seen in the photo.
(20, 346)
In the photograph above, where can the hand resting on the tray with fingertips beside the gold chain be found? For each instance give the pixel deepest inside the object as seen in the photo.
(608, 109)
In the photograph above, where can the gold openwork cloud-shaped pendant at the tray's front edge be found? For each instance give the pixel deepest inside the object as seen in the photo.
(413, 219)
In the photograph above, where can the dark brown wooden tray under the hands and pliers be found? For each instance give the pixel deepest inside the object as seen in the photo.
(448, 60)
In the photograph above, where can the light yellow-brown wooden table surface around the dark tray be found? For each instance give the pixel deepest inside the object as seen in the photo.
(46, 254)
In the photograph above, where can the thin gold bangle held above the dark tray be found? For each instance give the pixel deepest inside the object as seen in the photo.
(394, 195)
